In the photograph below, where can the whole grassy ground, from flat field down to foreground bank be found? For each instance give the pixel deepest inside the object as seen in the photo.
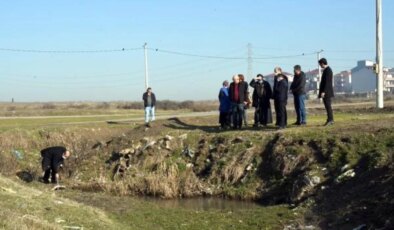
(97, 202)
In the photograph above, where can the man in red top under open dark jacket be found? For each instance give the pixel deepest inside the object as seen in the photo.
(238, 96)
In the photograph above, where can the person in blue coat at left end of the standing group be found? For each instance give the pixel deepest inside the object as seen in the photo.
(225, 106)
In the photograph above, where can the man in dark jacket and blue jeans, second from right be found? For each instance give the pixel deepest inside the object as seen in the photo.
(298, 89)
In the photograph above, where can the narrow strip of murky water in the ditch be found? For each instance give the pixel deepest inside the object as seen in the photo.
(204, 204)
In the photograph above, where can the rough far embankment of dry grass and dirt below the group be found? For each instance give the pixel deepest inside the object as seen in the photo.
(342, 176)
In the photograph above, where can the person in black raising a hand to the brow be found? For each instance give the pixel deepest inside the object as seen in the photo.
(261, 101)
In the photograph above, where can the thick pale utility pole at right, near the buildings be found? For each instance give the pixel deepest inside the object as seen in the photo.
(379, 56)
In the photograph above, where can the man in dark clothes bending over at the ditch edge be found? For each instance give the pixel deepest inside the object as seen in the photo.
(52, 160)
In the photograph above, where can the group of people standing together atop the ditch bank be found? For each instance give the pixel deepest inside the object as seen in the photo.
(234, 98)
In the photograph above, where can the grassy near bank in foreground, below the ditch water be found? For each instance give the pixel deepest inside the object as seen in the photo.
(35, 206)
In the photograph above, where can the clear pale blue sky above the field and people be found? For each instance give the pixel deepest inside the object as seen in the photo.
(279, 32)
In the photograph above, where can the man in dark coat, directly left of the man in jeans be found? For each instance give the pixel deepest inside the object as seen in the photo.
(280, 98)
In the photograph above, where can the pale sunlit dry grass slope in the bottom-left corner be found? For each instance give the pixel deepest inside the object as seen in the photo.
(24, 207)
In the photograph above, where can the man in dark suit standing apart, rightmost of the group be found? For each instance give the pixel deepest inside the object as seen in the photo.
(326, 90)
